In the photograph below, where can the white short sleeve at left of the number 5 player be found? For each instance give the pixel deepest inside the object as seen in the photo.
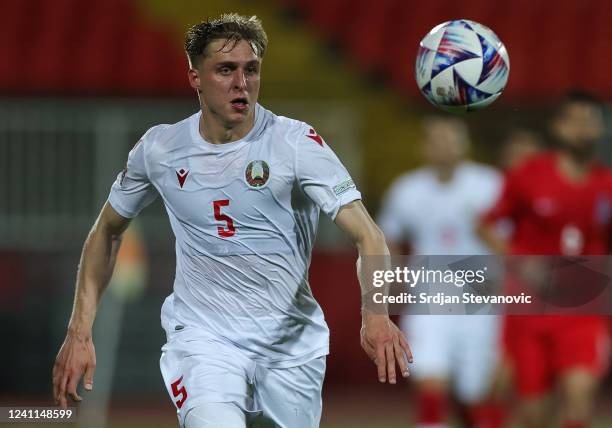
(132, 191)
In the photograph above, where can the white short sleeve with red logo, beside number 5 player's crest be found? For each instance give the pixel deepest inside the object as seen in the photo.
(321, 175)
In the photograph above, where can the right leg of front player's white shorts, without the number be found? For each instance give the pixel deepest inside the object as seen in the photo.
(290, 398)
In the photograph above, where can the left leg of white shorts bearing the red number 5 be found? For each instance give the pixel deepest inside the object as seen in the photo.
(197, 372)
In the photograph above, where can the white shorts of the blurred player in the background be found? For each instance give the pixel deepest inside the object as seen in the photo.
(463, 349)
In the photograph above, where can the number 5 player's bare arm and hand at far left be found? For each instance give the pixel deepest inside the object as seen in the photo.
(77, 356)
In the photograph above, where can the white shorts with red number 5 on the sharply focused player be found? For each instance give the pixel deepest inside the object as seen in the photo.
(213, 384)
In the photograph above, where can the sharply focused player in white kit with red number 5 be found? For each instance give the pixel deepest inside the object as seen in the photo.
(243, 188)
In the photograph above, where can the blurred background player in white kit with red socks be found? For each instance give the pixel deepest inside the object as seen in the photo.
(436, 210)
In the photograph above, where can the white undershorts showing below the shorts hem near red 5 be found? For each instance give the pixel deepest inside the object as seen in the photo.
(216, 415)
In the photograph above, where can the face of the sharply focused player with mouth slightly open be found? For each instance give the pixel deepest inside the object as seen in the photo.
(227, 80)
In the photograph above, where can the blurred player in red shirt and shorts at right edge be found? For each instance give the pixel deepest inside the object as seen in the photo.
(559, 202)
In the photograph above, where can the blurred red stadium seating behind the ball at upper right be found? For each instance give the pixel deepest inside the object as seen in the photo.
(552, 48)
